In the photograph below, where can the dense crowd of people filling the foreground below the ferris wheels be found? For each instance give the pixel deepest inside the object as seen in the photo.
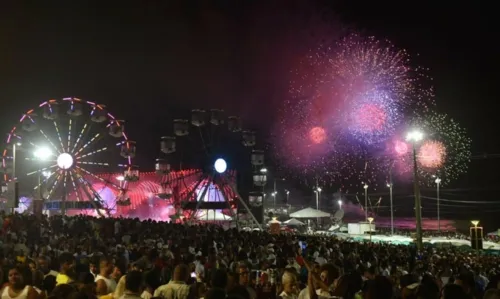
(86, 257)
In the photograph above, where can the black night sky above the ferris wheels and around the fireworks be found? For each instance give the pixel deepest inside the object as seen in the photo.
(151, 62)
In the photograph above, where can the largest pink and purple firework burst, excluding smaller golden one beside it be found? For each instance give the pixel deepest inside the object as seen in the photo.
(346, 101)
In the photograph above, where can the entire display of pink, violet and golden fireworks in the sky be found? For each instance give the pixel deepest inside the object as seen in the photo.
(349, 100)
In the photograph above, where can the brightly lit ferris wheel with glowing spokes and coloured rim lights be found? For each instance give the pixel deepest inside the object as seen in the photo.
(59, 151)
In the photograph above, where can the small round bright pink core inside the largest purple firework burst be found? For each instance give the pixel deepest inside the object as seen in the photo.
(369, 118)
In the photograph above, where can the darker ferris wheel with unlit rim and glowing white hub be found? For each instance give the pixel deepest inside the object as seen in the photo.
(207, 148)
